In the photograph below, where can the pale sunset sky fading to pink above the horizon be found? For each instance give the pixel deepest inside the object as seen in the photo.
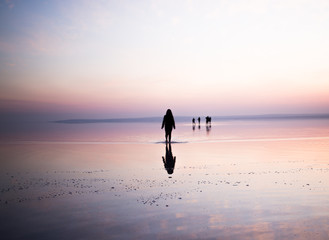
(108, 59)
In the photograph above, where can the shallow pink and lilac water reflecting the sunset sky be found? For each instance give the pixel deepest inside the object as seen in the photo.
(233, 180)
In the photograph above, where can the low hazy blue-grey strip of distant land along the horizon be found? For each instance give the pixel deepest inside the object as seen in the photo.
(188, 118)
